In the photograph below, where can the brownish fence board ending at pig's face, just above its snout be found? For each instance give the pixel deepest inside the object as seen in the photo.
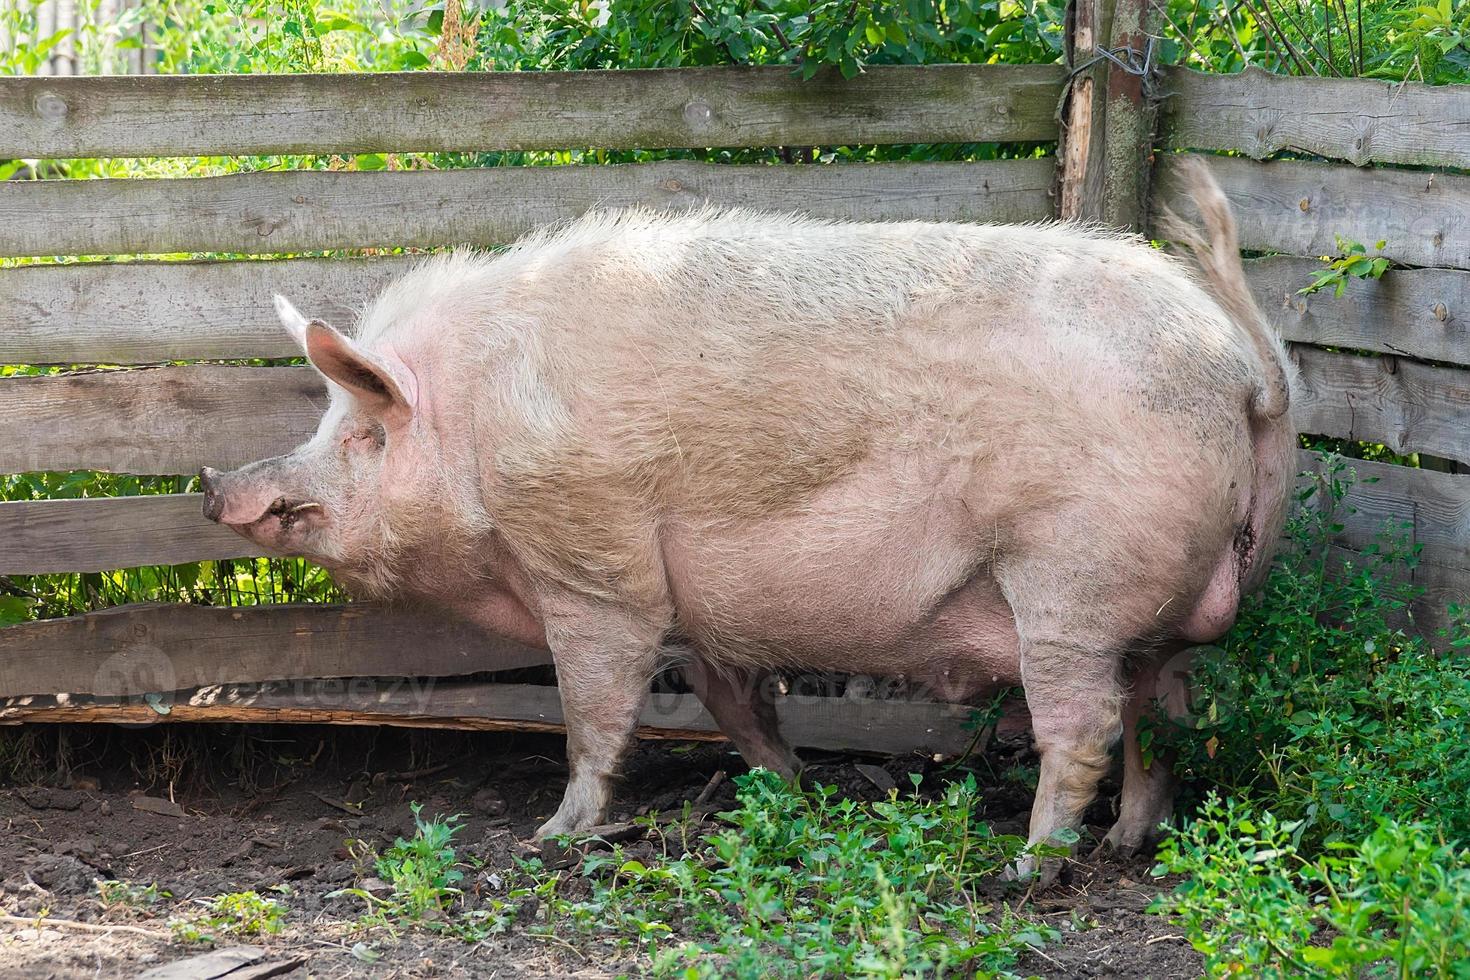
(157, 421)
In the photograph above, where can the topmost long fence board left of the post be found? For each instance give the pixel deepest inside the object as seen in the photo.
(223, 115)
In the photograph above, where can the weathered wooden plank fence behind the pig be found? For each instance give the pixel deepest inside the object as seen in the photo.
(1387, 364)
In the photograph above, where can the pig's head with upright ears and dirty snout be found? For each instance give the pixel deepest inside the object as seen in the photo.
(355, 494)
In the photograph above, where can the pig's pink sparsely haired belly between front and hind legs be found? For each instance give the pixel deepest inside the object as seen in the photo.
(886, 591)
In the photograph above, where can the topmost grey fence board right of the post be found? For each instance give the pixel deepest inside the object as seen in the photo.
(1356, 120)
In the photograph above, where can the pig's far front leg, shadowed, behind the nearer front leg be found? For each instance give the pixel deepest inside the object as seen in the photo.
(742, 703)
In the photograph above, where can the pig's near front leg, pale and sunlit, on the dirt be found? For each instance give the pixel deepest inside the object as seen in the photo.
(605, 665)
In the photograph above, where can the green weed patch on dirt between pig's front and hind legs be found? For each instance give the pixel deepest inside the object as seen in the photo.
(805, 884)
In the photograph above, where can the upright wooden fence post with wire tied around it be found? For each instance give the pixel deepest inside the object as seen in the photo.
(1108, 124)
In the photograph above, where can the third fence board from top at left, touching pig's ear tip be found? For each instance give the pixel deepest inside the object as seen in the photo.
(145, 312)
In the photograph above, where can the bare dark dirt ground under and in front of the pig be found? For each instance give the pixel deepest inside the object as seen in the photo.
(295, 799)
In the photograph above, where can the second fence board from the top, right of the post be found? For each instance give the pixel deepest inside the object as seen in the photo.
(1302, 208)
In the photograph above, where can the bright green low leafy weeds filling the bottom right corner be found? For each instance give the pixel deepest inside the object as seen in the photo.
(1396, 903)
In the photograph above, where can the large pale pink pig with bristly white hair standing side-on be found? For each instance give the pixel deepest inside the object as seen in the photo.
(974, 456)
